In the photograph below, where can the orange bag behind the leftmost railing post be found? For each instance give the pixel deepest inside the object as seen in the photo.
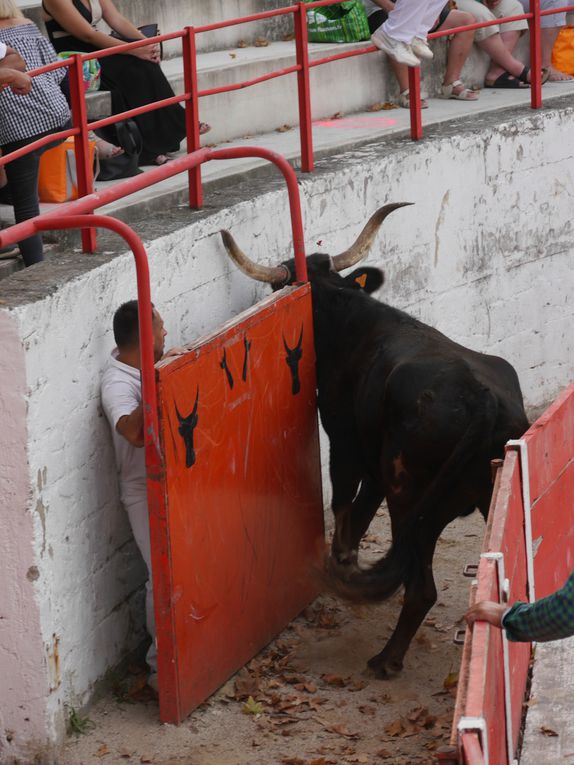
(57, 179)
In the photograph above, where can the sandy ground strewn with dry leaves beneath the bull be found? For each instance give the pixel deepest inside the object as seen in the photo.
(308, 698)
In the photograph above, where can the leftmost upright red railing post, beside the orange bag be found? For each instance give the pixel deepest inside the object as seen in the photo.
(81, 144)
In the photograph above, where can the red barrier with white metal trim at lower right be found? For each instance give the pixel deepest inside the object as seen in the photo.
(530, 536)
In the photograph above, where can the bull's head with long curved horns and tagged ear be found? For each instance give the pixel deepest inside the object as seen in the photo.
(284, 274)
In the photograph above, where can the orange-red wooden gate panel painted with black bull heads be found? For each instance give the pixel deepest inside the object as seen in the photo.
(242, 526)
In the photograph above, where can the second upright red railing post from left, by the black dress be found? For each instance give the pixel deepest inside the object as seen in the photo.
(192, 115)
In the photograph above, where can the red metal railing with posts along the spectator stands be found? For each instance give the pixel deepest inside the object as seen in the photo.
(190, 98)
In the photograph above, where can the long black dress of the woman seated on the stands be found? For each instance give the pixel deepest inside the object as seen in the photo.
(132, 82)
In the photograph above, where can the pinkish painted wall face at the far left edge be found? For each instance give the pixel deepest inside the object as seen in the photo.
(23, 678)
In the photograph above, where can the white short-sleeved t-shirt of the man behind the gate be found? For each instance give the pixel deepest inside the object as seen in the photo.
(121, 394)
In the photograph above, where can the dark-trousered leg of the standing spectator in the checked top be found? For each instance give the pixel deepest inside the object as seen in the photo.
(22, 176)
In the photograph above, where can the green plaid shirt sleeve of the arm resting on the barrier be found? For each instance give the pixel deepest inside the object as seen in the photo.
(550, 618)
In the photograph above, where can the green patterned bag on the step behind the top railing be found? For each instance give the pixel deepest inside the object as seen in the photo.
(345, 22)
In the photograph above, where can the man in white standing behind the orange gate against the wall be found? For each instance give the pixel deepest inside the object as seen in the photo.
(122, 403)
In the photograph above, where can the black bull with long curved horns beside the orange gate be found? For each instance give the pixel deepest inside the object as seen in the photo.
(412, 417)
